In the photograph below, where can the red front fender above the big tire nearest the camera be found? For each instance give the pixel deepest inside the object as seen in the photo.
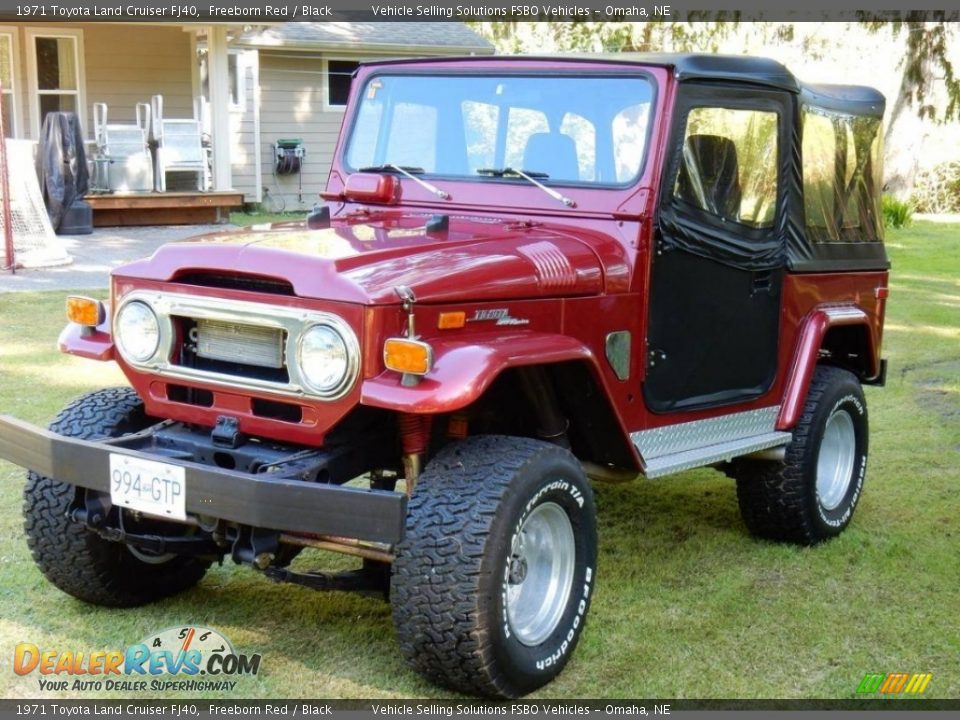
(463, 370)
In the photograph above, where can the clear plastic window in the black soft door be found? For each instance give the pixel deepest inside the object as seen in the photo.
(729, 165)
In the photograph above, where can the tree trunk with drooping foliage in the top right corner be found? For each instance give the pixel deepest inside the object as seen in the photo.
(925, 56)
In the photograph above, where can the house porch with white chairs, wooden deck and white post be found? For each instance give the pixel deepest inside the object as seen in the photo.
(107, 73)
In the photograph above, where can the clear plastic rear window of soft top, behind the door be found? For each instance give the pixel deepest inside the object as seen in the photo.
(842, 176)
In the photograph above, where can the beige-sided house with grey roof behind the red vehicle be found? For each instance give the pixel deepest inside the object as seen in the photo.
(261, 83)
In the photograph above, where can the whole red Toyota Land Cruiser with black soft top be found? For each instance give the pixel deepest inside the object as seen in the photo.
(526, 273)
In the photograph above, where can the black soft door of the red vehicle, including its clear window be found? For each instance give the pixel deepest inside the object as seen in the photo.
(717, 270)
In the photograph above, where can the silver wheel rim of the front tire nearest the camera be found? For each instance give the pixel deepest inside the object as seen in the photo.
(540, 574)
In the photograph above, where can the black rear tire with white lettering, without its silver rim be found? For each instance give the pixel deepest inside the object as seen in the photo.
(779, 500)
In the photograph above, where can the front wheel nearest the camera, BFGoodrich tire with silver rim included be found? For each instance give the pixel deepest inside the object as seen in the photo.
(492, 583)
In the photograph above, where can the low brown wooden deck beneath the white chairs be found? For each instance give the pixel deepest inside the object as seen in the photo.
(168, 208)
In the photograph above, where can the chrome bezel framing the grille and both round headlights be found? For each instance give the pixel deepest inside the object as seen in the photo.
(292, 320)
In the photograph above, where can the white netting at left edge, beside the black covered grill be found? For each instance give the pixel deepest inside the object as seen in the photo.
(34, 242)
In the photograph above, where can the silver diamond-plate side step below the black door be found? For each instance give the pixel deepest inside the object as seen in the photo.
(672, 439)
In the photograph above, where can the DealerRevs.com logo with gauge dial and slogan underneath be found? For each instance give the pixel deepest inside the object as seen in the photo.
(187, 658)
